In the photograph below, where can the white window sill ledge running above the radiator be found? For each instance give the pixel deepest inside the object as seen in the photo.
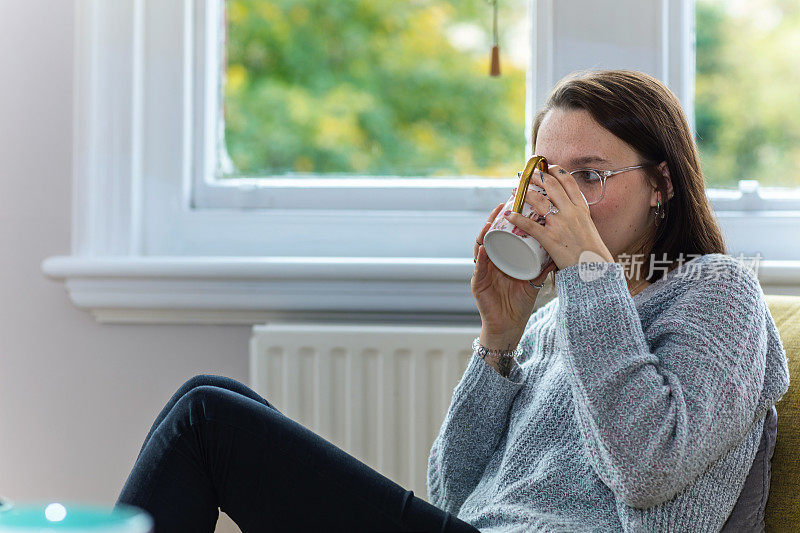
(250, 290)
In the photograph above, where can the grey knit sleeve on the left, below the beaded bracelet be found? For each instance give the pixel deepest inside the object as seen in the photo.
(473, 425)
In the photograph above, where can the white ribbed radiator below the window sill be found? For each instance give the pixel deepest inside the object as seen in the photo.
(378, 392)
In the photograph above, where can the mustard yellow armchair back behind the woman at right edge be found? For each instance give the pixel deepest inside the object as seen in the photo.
(782, 513)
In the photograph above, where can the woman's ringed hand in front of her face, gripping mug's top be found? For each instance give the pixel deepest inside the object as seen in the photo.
(571, 231)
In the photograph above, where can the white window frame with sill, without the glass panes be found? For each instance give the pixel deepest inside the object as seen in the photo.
(154, 239)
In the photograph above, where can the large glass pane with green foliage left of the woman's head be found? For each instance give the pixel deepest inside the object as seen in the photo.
(373, 87)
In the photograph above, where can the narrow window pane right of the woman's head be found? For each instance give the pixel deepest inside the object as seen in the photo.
(747, 109)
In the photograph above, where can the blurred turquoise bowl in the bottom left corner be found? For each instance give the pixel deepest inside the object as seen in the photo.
(55, 516)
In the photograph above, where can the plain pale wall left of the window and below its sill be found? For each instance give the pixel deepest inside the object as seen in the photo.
(76, 397)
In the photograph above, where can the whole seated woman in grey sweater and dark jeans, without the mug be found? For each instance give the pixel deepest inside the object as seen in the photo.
(635, 400)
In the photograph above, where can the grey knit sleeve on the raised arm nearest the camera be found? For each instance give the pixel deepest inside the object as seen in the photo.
(654, 418)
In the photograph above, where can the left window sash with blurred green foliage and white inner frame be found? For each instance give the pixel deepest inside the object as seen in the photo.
(339, 96)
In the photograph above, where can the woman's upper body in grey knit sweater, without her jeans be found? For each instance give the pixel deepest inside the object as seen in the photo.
(636, 399)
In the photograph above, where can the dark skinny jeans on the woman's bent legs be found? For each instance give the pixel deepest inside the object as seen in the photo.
(218, 444)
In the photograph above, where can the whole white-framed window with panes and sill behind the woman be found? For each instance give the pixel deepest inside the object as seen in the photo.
(175, 221)
